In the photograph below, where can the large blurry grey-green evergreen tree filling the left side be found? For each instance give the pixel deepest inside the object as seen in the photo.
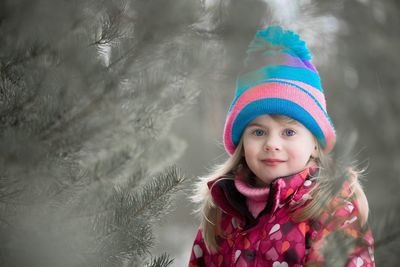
(88, 93)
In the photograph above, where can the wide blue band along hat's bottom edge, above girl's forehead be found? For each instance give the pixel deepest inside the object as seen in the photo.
(275, 106)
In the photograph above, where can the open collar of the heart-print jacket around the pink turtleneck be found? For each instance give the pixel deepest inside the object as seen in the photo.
(282, 189)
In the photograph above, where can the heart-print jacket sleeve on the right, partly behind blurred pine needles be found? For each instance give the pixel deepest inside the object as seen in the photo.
(338, 239)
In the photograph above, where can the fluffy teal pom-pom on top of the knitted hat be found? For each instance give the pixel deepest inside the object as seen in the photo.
(274, 39)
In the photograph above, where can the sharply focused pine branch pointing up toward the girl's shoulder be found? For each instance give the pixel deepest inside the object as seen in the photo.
(129, 222)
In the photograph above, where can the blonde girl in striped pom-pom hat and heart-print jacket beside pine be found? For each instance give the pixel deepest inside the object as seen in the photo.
(279, 199)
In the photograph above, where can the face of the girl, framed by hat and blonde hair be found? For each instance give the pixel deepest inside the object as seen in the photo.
(275, 148)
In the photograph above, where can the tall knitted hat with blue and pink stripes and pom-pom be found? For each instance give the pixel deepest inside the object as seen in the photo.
(279, 78)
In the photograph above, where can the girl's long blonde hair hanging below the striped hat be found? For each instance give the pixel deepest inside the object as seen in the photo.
(329, 179)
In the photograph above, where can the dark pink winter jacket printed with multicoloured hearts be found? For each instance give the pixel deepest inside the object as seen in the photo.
(273, 238)
